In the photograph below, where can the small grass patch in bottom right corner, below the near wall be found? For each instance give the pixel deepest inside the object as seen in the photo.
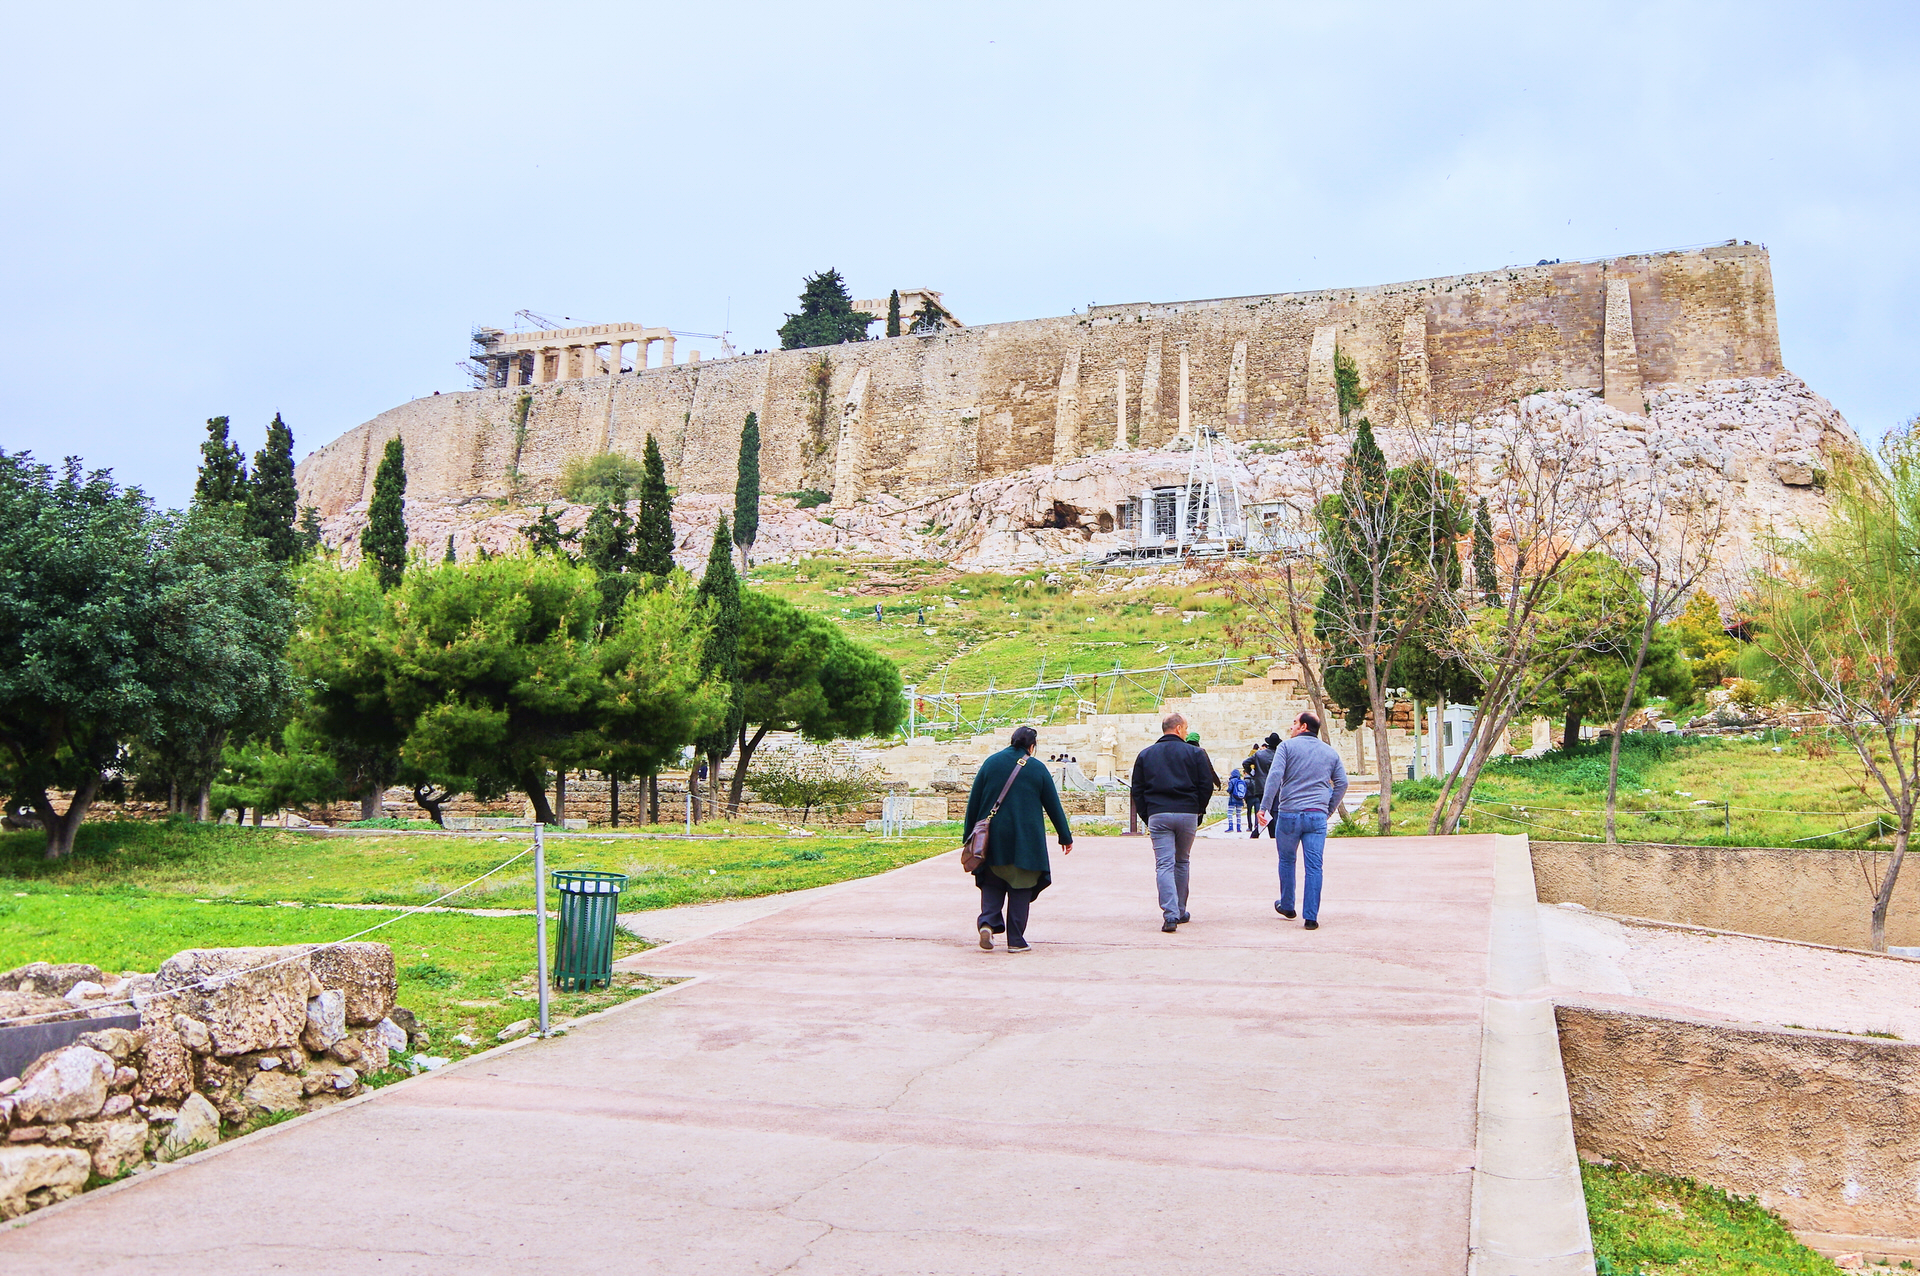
(1652, 1225)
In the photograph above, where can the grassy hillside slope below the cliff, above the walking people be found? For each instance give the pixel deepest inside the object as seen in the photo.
(1003, 626)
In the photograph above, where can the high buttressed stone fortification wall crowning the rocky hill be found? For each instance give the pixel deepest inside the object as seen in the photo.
(928, 415)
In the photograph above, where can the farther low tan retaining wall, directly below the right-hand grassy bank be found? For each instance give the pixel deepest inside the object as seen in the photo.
(1817, 897)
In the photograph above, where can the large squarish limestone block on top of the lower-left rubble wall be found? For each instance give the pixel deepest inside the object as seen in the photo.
(249, 999)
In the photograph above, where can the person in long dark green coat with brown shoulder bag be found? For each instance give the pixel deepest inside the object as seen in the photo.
(1017, 866)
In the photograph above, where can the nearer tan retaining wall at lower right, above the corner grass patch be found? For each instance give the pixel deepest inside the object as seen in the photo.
(1823, 1129)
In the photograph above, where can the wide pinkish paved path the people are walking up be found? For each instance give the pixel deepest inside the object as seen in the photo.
(853, 1087)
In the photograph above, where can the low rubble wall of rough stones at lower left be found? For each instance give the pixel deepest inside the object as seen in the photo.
(224, 1035)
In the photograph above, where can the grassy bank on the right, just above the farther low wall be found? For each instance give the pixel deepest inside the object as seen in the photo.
(1671, 792)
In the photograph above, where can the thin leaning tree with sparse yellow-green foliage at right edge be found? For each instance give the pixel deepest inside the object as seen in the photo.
(1840, 613)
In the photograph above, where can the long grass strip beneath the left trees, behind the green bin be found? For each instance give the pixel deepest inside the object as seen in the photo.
(268, 866)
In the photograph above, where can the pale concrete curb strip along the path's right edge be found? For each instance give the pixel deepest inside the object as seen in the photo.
(1529, 1210)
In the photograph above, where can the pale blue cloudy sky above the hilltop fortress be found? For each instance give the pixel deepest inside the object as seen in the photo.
(304, 210)
